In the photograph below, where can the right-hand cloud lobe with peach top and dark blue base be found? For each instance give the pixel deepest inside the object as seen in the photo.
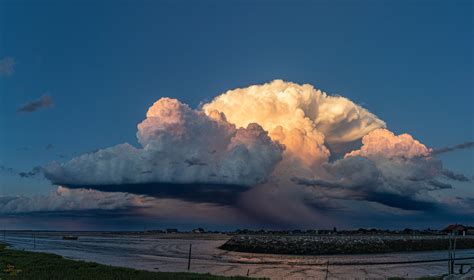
(394, 170)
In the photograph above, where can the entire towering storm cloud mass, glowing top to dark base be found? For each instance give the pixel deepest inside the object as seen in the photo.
(289, 145)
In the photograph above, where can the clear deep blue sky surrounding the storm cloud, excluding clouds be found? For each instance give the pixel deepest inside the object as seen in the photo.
(104, 64)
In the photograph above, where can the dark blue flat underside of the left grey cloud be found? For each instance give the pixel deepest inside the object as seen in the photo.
(224, 194)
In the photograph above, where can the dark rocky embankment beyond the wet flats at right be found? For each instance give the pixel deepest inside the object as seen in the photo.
(340, 244)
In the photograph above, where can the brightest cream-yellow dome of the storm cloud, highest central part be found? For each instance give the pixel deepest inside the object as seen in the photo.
(306, 120)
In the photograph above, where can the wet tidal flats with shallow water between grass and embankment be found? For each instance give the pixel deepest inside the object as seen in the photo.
(163, 252)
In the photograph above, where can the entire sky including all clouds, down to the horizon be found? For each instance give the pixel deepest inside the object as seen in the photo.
(79, 76)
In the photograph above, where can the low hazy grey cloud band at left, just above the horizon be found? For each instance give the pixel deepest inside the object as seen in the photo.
(75, 203)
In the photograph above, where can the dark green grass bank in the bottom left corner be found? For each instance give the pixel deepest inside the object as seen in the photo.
(15, 264)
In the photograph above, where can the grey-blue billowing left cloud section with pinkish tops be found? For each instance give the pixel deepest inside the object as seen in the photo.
(179, 145)
